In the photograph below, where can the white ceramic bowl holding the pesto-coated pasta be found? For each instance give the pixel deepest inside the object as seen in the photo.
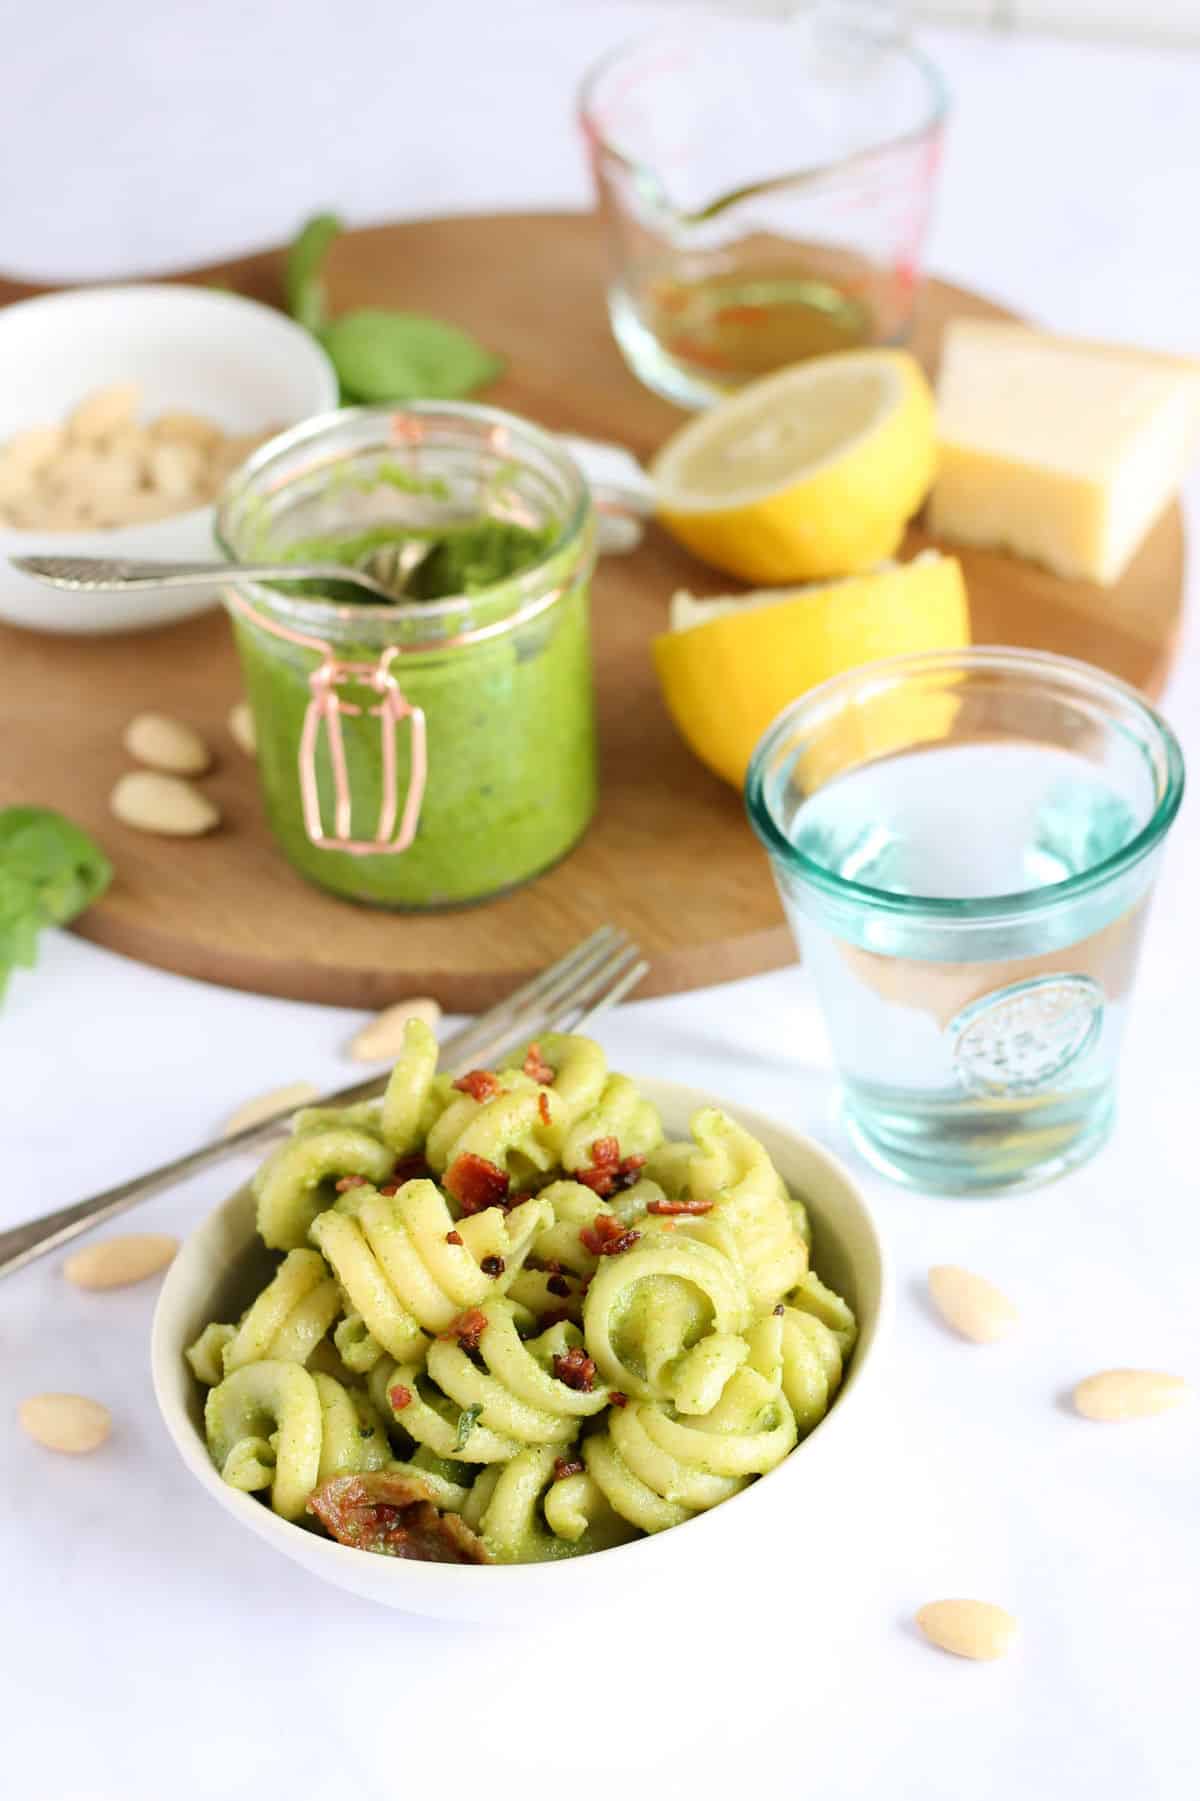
(223, 1265)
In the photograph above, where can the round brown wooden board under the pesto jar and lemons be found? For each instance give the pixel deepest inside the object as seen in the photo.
(669, 856)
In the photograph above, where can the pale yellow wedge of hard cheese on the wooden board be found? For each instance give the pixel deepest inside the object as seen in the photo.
(1057, 449)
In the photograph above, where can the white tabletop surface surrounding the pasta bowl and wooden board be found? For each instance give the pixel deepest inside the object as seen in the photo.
(154, 1649)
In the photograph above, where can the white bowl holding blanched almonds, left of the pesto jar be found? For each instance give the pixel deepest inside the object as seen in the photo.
(230, 359)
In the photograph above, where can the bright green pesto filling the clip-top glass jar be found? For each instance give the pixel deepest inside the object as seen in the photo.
(509, 719)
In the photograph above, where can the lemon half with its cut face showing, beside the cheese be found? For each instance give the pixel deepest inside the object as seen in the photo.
(806, 475)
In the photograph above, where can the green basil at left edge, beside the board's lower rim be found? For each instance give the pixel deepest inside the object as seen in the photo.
(50, 871)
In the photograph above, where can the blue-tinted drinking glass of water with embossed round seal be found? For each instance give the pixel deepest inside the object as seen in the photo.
(967, 844)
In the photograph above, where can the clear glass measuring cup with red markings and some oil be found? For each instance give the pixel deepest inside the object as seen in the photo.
(767, 186)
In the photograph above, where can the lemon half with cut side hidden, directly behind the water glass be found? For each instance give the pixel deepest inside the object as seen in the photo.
(727, 667)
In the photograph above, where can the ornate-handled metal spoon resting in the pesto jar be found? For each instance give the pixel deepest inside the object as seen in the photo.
(385, 577)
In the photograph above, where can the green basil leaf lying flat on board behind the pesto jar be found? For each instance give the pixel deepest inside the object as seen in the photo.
(385, 356)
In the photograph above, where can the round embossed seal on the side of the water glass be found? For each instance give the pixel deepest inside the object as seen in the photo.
(1023, 1038)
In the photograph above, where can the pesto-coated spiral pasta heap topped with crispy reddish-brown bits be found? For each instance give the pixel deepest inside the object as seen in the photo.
(513, 1323)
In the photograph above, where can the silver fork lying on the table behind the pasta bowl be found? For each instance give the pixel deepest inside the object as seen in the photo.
(565, 997)
